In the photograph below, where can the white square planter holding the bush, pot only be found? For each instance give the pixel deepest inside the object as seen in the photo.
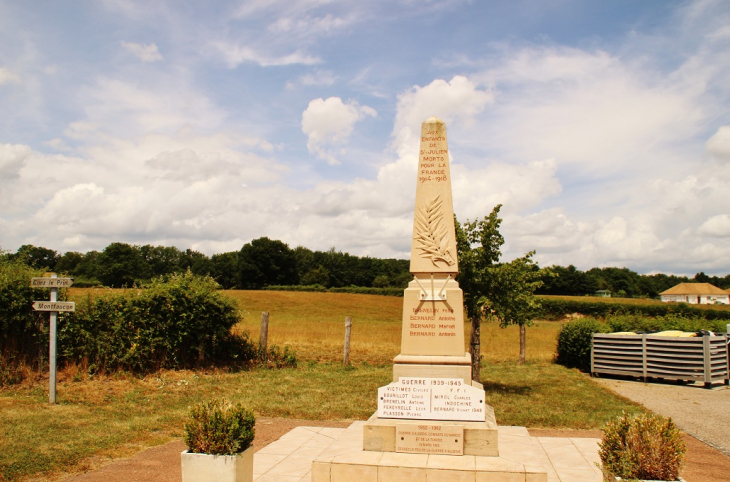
(217, 468)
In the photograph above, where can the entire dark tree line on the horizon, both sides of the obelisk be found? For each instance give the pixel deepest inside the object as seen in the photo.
(265, 262)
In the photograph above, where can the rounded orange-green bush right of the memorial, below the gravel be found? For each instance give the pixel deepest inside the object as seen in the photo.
(641, 447)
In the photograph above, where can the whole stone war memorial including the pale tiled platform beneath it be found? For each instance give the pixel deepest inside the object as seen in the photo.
(432, 422)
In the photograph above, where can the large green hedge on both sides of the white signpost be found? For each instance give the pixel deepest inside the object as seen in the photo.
(176, 322)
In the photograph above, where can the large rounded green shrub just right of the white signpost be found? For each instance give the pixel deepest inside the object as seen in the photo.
(175, 322)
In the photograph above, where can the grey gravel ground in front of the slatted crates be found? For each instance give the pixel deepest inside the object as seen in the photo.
(701, 412)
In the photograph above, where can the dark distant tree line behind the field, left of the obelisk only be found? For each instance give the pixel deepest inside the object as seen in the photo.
(262, 262)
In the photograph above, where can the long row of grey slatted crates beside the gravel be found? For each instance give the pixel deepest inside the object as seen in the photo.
(703, 359)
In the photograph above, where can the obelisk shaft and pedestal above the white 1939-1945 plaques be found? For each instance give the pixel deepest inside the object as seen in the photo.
(432, 341)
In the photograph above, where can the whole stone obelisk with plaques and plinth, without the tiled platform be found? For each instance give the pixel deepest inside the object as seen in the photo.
(432, 396)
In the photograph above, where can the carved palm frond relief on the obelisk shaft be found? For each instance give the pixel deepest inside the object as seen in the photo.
(432, 234)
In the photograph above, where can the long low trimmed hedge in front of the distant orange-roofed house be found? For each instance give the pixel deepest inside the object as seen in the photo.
(558, 307)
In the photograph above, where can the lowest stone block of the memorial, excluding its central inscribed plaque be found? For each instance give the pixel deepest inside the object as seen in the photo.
(480, 438)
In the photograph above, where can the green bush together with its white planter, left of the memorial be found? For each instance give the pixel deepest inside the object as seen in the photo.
(218, 434)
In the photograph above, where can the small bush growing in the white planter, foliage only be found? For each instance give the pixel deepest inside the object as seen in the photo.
(219, 427)
